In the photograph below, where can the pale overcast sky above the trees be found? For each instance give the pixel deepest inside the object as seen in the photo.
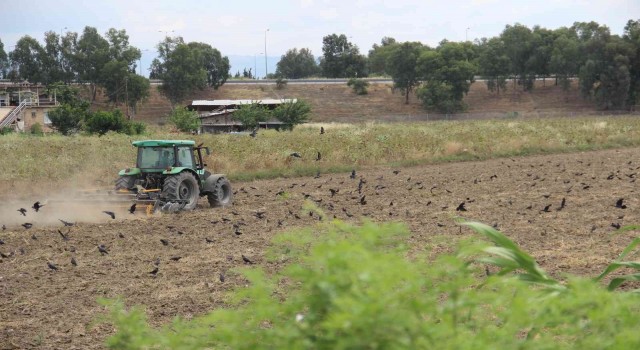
(237, 28)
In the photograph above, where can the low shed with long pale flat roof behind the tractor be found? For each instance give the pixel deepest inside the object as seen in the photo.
(216, 115)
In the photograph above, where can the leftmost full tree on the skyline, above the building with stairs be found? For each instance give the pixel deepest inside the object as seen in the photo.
(26, 60)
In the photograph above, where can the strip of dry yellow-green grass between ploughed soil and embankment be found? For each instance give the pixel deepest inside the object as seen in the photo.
(80, 159)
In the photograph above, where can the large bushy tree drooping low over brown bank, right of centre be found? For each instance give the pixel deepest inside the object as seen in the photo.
(449, 72)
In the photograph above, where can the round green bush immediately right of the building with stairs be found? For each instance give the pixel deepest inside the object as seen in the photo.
(72, 112)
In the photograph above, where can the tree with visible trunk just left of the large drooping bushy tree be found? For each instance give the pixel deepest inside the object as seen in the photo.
(402, 64)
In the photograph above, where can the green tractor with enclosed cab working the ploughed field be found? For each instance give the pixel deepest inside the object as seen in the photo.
(170, 175)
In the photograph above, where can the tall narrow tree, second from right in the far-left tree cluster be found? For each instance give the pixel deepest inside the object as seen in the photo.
(91, 55)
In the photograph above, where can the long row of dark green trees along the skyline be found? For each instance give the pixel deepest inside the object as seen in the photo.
(607, 66)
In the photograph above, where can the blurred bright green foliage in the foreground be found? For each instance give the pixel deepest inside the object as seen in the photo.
(348, 287)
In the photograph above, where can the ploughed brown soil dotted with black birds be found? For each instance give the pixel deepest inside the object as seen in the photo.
(43, 308)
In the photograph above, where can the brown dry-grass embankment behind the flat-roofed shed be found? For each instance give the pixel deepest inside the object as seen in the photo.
(338, 103)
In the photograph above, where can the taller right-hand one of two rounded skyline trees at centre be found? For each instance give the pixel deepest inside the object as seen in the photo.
(341, 59)
